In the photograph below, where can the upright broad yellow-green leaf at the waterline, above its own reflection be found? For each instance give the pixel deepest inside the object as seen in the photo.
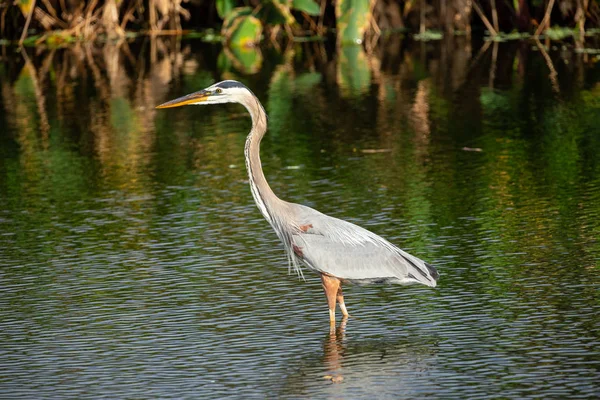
(353, 17)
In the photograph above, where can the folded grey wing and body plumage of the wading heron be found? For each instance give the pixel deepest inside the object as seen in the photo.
(352, 253)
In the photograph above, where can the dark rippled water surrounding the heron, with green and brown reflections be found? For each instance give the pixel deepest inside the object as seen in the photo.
(134, 263)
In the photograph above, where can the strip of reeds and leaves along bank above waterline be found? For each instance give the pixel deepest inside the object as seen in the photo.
(247, 23)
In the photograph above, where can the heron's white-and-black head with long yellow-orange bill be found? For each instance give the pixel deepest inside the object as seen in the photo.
(222, 92)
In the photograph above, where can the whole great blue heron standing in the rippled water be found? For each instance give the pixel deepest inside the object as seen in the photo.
(337, 250)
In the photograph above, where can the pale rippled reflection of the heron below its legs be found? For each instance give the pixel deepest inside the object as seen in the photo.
(348, 359)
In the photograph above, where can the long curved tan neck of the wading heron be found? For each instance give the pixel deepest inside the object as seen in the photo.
(261, 191)
